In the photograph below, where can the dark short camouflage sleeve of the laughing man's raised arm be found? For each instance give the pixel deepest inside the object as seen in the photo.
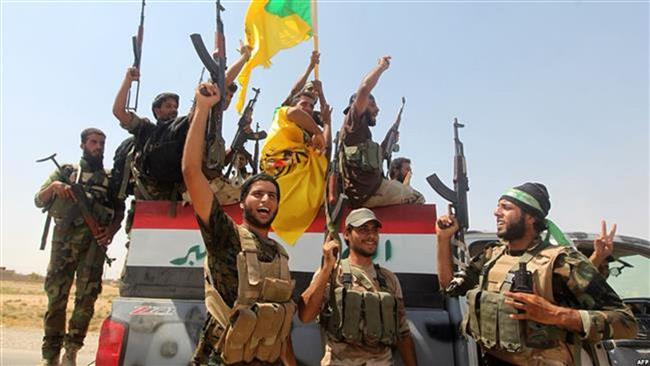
(220, 233)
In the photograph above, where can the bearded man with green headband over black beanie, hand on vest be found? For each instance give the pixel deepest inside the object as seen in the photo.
(568, 304)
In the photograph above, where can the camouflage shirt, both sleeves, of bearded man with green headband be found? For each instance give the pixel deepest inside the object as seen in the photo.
(576, 284)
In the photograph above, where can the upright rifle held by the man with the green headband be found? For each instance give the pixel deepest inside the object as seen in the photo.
(457, 197)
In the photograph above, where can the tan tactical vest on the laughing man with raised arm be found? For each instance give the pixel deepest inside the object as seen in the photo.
(258, 324)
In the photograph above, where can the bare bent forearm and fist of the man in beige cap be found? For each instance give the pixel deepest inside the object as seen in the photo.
(311, 300)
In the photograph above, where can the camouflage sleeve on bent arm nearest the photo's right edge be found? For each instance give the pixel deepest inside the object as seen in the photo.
(603, 313)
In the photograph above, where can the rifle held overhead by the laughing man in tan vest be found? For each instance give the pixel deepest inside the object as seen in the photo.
(216, 66)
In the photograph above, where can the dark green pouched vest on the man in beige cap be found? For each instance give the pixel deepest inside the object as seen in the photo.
(362, 317)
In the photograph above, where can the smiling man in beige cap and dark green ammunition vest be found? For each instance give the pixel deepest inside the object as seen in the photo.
(360, 303)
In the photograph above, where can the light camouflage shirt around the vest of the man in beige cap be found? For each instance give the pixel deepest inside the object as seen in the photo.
(341, 353)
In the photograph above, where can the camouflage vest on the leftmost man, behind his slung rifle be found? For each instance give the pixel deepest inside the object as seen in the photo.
(95, 184)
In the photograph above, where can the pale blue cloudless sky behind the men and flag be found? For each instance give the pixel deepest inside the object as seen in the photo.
(550, 91)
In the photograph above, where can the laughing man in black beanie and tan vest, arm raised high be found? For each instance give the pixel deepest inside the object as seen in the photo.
(248, 283)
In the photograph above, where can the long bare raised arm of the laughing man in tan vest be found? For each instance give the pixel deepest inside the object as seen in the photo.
(196, 182)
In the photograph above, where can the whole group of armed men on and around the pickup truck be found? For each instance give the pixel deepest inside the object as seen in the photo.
(358, 303)
